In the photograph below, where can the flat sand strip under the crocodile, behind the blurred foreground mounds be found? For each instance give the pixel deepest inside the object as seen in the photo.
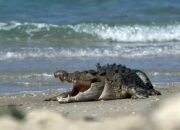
(92, 109)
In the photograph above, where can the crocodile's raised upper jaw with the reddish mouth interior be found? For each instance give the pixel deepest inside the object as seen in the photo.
(81, 80)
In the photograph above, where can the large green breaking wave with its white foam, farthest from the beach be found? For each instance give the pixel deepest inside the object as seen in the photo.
(87, 31)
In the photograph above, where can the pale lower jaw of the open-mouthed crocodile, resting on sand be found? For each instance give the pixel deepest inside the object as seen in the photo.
(92, 94)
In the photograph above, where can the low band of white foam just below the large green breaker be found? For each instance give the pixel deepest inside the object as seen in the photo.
(121, 51)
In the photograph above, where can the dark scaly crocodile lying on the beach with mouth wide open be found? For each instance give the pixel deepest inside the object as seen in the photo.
(107, 82)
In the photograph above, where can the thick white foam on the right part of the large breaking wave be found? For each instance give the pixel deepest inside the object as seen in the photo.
(136, 33)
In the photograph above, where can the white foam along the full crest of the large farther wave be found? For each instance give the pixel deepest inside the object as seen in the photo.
(119, 33)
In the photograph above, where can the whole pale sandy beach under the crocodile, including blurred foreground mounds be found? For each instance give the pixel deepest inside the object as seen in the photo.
(156, 112)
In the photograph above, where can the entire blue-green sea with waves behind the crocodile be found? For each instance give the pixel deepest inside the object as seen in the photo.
(39, 37)
